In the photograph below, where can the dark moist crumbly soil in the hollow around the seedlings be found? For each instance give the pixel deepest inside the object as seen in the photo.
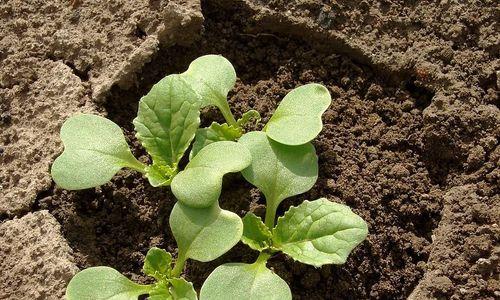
(370, 156)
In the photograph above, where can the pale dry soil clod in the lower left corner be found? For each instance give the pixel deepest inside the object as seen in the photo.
(35, 259)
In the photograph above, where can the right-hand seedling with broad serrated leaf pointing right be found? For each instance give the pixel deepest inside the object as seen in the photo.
(284, 164)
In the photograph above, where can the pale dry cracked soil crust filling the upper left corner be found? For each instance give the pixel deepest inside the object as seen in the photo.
(57, 59)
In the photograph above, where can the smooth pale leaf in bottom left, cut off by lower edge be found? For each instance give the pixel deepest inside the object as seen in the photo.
(103, 283)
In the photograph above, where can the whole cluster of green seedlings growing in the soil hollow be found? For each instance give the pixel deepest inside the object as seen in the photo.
(279, 160)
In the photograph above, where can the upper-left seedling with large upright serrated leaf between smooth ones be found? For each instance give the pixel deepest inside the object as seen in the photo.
(167, 122)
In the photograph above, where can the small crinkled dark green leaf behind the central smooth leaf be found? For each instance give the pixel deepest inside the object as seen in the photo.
(215, 133)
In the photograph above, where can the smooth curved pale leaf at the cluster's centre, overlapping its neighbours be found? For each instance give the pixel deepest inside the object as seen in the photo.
(200, 184)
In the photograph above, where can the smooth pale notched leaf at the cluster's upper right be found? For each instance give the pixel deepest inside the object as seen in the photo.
(297, 120)
